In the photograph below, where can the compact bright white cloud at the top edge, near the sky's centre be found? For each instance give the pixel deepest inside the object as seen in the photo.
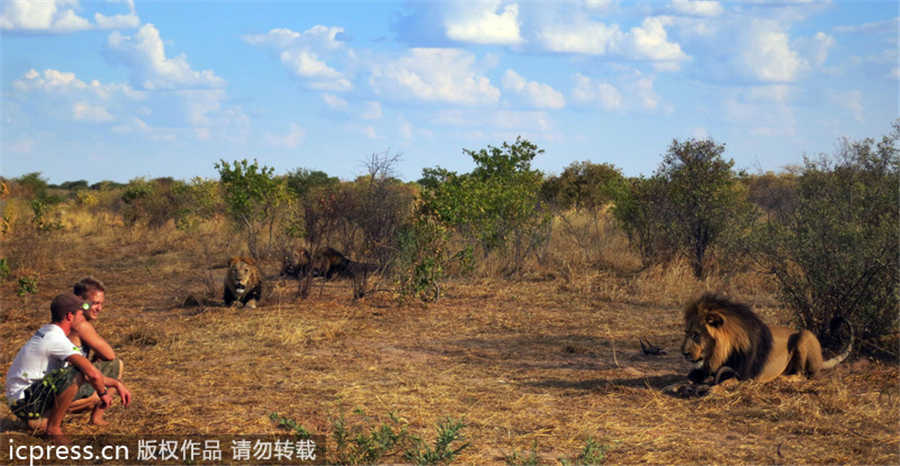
(481, 24)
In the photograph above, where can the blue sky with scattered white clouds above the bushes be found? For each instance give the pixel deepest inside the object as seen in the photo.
(119, 89)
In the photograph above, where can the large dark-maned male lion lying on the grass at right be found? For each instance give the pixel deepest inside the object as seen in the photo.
(726, 338)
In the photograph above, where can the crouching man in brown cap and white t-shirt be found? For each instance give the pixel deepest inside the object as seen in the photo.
(48, 372)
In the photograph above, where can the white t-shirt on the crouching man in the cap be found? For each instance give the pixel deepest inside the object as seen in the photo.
(47, 350)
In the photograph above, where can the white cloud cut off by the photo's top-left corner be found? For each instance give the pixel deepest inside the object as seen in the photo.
(58, 17)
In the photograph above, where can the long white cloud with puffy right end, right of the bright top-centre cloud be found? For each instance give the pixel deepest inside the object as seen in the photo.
(649, 41)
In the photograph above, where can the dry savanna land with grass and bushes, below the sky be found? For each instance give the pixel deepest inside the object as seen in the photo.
(505, 322)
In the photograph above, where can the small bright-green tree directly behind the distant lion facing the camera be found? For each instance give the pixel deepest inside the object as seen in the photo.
(252, 195)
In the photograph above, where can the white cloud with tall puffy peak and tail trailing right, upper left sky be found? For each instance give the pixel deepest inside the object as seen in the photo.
(144, 54)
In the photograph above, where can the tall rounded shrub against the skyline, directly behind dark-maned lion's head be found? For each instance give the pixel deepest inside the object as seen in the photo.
(692, 203)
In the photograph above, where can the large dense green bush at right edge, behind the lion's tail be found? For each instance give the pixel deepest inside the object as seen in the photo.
(835, 253)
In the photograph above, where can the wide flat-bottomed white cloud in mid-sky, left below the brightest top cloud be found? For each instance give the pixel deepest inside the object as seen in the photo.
(434, 75)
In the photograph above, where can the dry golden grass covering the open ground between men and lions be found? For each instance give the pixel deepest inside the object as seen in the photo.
(546, 363)
